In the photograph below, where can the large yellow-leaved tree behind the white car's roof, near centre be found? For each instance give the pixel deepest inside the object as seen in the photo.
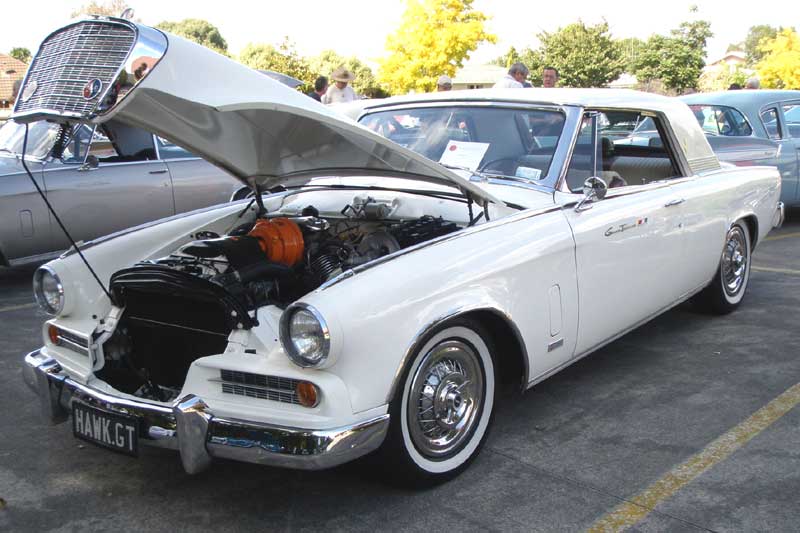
(434, 38)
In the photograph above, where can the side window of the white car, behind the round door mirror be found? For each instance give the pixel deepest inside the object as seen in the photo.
(624, 148)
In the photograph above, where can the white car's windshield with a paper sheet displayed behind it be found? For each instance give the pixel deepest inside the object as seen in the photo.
(509, 142)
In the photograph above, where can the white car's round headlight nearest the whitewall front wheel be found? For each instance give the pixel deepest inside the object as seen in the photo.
(305, 336)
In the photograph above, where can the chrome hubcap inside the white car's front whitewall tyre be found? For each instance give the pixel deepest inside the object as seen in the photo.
(445, 399)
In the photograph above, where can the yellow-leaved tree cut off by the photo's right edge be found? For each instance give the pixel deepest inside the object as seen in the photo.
(779, 67)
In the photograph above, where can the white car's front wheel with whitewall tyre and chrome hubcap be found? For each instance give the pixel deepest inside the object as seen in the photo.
(442, 410)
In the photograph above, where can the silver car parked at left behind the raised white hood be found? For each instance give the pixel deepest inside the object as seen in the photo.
(98, 180)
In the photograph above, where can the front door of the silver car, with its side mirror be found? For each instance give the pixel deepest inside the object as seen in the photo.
(110, 189)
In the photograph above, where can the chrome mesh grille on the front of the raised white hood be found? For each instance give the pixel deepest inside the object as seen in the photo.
(72, 57)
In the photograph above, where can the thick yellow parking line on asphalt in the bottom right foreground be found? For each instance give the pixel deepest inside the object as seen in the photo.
(633, 511)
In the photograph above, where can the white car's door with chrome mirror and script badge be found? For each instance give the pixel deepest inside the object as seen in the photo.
(627, 246)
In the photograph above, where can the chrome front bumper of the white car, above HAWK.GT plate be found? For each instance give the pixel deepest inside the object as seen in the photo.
(190, 427)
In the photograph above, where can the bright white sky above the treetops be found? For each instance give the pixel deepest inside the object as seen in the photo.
(360, 27)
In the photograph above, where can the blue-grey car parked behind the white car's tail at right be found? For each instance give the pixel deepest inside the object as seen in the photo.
(735, 117)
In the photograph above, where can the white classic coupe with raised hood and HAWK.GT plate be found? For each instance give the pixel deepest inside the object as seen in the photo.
(366, 298)
